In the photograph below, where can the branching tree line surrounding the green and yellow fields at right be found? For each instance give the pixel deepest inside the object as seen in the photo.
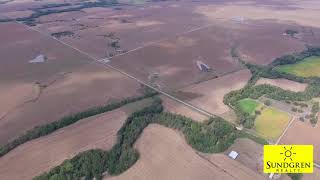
(258, 71)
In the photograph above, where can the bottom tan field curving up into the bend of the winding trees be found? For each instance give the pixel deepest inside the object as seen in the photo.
(164, 154)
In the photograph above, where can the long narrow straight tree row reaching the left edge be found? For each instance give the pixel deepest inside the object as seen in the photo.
(68, 120)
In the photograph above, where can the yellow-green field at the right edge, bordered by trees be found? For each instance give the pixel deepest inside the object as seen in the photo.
(309, 67)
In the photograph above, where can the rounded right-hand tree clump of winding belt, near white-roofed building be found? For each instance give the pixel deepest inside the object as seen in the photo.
(213, 136)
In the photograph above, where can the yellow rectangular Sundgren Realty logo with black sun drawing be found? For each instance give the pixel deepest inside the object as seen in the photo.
(288, 158)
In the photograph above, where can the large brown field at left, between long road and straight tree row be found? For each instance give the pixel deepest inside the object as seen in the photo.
(68, 82)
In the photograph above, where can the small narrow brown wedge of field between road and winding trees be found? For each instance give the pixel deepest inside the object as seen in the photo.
(177, 108)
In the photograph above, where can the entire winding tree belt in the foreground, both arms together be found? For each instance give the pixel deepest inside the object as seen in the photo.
(213, 136)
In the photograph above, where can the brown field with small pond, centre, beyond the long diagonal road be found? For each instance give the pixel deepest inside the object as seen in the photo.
(172, 64)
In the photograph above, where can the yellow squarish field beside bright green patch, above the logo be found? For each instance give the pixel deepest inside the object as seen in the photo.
(271, 123)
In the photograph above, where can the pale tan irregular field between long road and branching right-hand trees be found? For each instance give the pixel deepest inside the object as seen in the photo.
(213, 91)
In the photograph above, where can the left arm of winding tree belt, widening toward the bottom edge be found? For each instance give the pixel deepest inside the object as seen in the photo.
(94, 163)
